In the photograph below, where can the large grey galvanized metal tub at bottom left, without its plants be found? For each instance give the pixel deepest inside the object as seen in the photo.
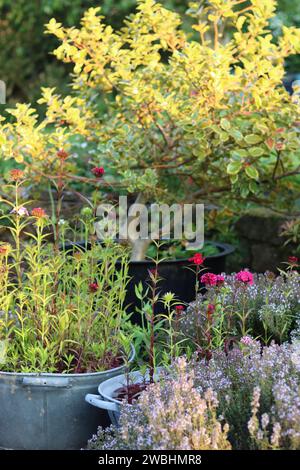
(48, 411)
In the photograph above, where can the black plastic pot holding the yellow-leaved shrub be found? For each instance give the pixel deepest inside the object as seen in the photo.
(176, 277)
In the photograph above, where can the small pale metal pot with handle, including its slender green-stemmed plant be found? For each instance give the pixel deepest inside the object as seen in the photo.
(160, 340)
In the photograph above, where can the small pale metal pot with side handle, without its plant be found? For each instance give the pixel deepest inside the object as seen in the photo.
(107, 389)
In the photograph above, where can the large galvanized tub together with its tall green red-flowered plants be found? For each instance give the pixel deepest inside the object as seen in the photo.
(61, 332)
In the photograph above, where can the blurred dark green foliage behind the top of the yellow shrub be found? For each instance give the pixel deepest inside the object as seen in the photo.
(25, 52)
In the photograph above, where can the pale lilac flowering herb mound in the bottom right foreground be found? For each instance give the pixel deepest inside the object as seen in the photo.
(247, 398)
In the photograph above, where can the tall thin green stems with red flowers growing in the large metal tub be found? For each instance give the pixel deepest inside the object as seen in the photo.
(61, 310)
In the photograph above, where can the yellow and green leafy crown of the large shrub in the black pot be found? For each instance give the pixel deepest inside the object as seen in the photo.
(201, 118)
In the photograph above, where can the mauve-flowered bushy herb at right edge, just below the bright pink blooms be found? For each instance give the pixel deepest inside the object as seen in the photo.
(267, 310)
